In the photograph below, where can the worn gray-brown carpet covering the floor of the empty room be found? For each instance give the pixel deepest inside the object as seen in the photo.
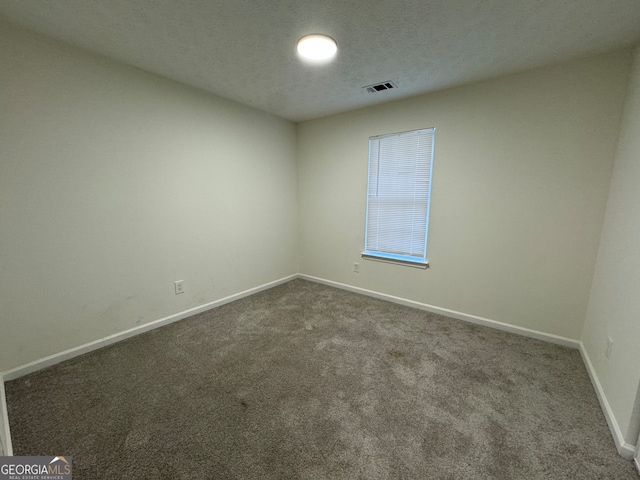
(308, 381)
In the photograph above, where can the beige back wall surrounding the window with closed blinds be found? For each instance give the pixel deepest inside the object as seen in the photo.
(521, 174)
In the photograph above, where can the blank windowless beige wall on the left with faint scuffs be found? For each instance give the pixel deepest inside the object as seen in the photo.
(114, 183)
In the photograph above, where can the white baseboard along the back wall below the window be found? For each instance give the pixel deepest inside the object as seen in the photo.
(527, 332)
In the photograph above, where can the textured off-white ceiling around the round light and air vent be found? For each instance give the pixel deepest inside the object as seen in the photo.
(245, 49)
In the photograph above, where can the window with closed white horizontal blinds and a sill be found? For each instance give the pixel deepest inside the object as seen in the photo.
(398, 195)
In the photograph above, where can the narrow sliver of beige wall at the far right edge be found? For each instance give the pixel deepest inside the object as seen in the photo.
(614, 305)
